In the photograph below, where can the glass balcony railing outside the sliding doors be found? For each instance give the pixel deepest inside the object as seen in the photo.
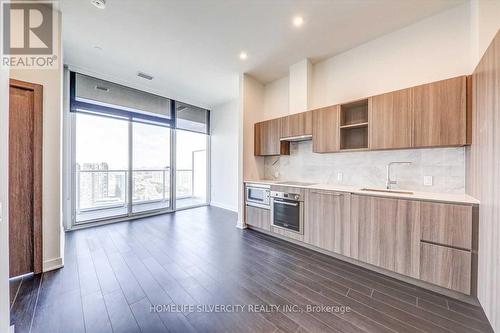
(103, 189)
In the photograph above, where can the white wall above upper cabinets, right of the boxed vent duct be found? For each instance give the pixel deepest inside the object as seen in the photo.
(432, 49)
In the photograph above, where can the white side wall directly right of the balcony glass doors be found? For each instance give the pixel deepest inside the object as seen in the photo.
(224, 121)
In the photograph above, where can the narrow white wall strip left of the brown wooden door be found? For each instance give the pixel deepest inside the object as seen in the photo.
(4, 214)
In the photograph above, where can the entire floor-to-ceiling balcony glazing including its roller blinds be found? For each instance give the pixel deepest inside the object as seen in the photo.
(125, 146)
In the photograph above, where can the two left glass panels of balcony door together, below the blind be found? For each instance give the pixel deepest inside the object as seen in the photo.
(122, 168)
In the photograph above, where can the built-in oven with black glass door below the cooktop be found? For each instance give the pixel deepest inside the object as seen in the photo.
(287, 211)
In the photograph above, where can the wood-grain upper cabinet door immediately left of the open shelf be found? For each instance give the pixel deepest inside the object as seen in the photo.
(325, 129)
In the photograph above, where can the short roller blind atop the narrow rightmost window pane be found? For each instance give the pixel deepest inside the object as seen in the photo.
(192, 118)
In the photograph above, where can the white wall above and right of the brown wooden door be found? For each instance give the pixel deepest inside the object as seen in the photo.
(51, 80)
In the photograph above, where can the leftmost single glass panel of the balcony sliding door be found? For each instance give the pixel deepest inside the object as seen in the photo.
(101, 167)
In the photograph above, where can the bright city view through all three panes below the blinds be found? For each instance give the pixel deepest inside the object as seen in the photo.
(102, 168)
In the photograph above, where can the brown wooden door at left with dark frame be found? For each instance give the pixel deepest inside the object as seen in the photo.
(25, 178)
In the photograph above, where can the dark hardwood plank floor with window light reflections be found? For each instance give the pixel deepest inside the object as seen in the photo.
(115, 273)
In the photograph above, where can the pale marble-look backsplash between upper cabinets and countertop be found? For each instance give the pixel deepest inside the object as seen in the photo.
(368, 168)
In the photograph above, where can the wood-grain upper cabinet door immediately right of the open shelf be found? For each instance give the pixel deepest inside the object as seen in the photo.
(391, 120)
